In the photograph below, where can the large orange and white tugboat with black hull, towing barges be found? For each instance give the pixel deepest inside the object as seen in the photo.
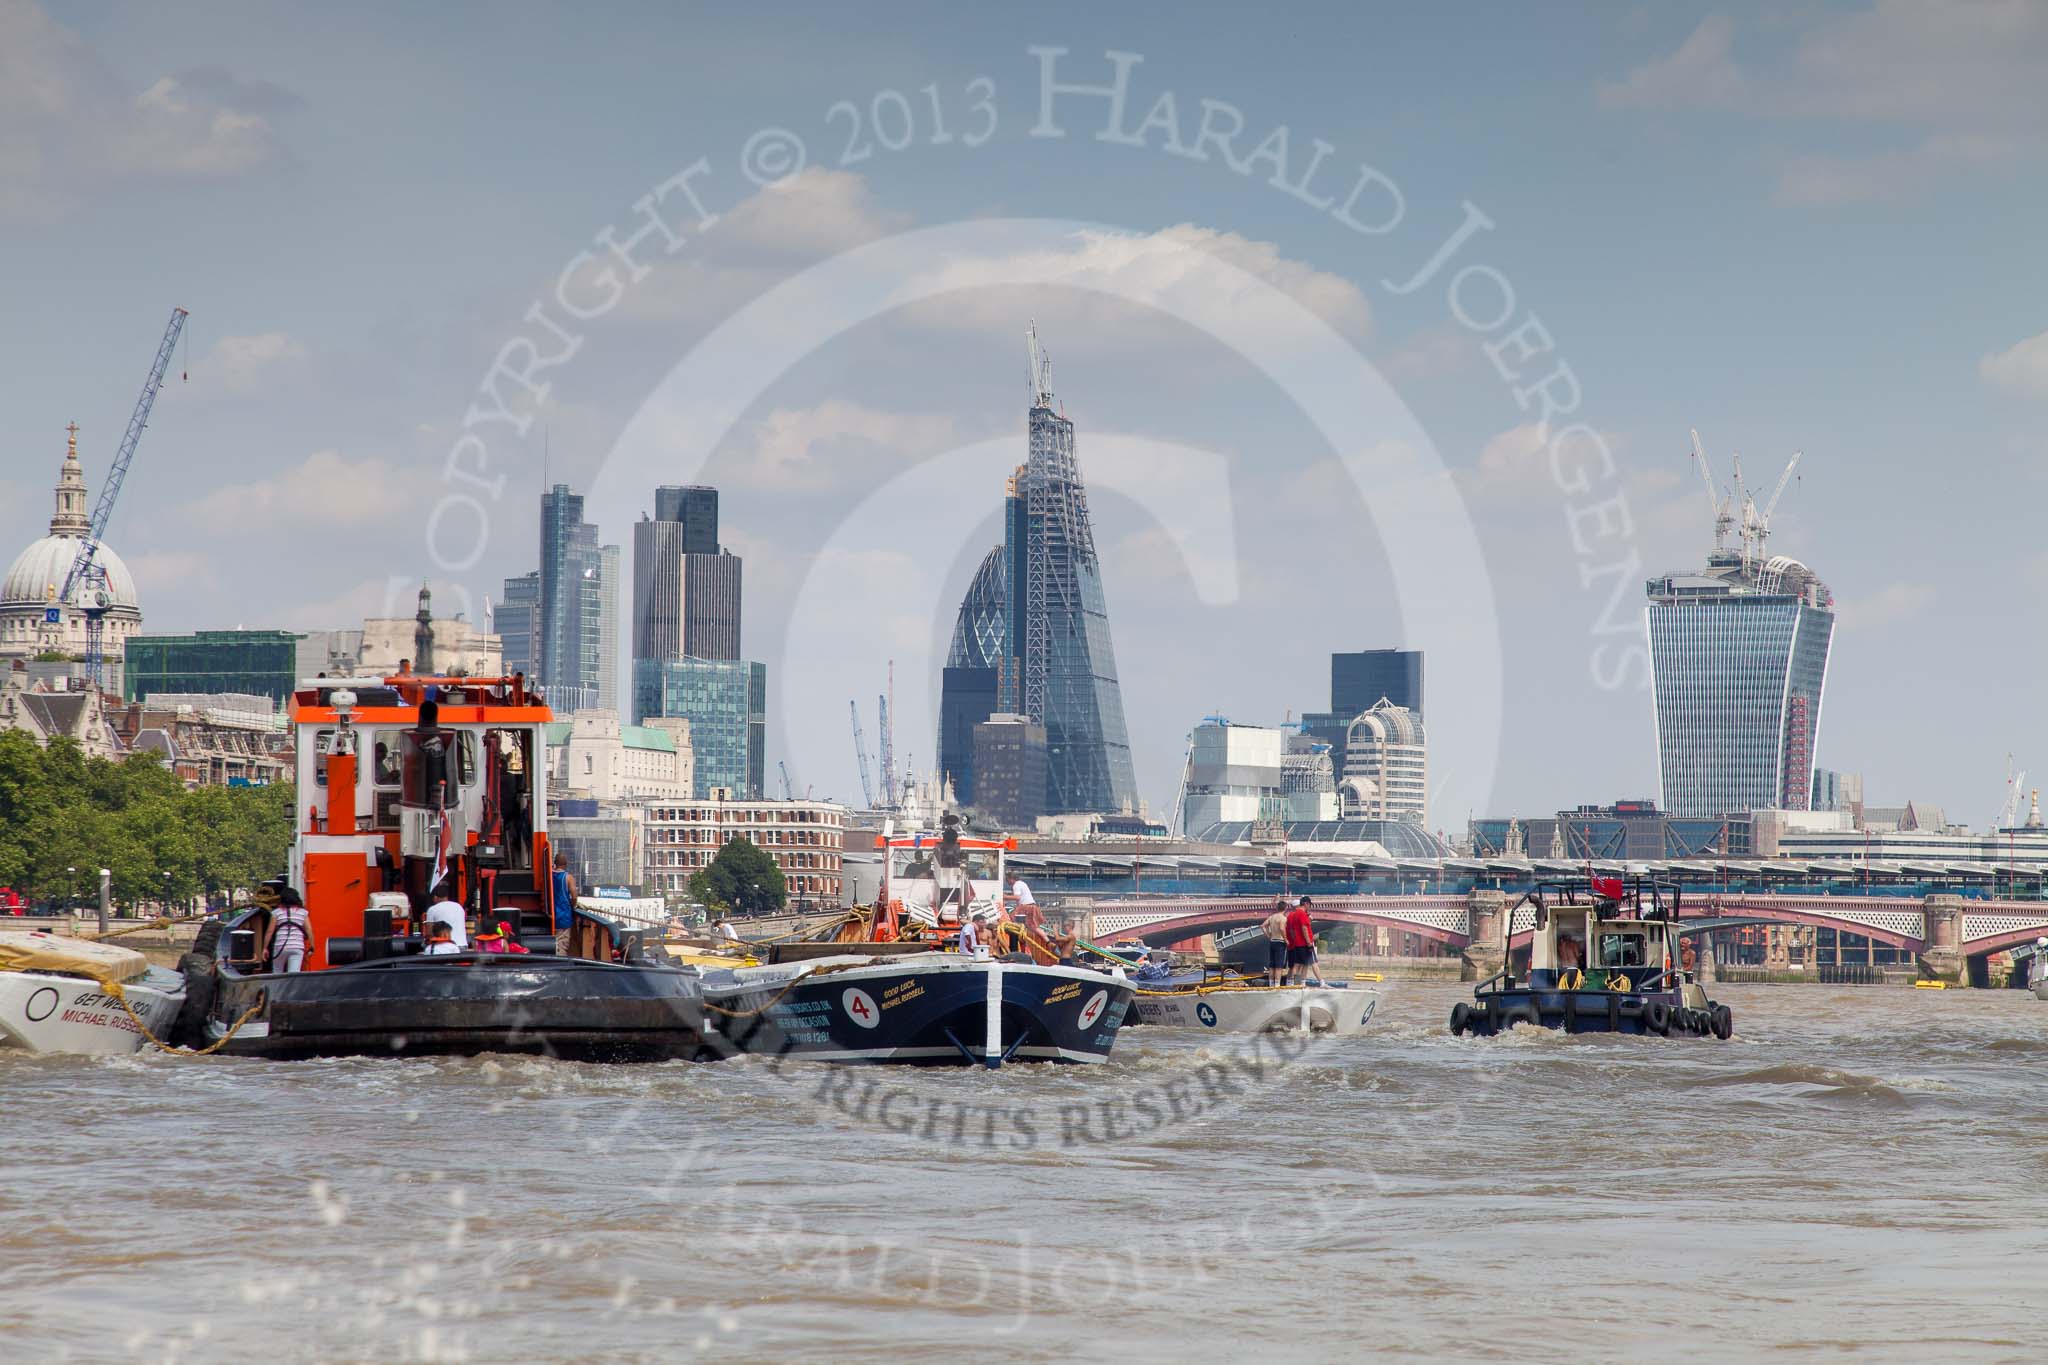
(423, 858)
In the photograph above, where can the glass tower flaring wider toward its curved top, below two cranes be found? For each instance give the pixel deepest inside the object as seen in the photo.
(1738, 672)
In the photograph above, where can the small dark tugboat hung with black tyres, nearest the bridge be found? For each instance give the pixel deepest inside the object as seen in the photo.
(1605, 959)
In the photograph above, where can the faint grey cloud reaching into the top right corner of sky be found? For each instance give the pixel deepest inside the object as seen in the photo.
(1959, 81)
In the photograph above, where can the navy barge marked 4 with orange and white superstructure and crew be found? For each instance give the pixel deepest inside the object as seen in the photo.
(941, 973)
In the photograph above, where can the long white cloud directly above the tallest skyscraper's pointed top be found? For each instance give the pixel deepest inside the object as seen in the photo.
(1117, 271)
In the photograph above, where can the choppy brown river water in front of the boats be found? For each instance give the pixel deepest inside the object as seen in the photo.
(1859, 1172)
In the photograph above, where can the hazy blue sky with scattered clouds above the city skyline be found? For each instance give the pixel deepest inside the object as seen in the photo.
(1807, 226)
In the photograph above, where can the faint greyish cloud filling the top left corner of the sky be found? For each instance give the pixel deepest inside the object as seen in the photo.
(69, 124)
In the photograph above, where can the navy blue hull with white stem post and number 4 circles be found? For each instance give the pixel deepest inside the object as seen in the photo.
(919, 1016)
